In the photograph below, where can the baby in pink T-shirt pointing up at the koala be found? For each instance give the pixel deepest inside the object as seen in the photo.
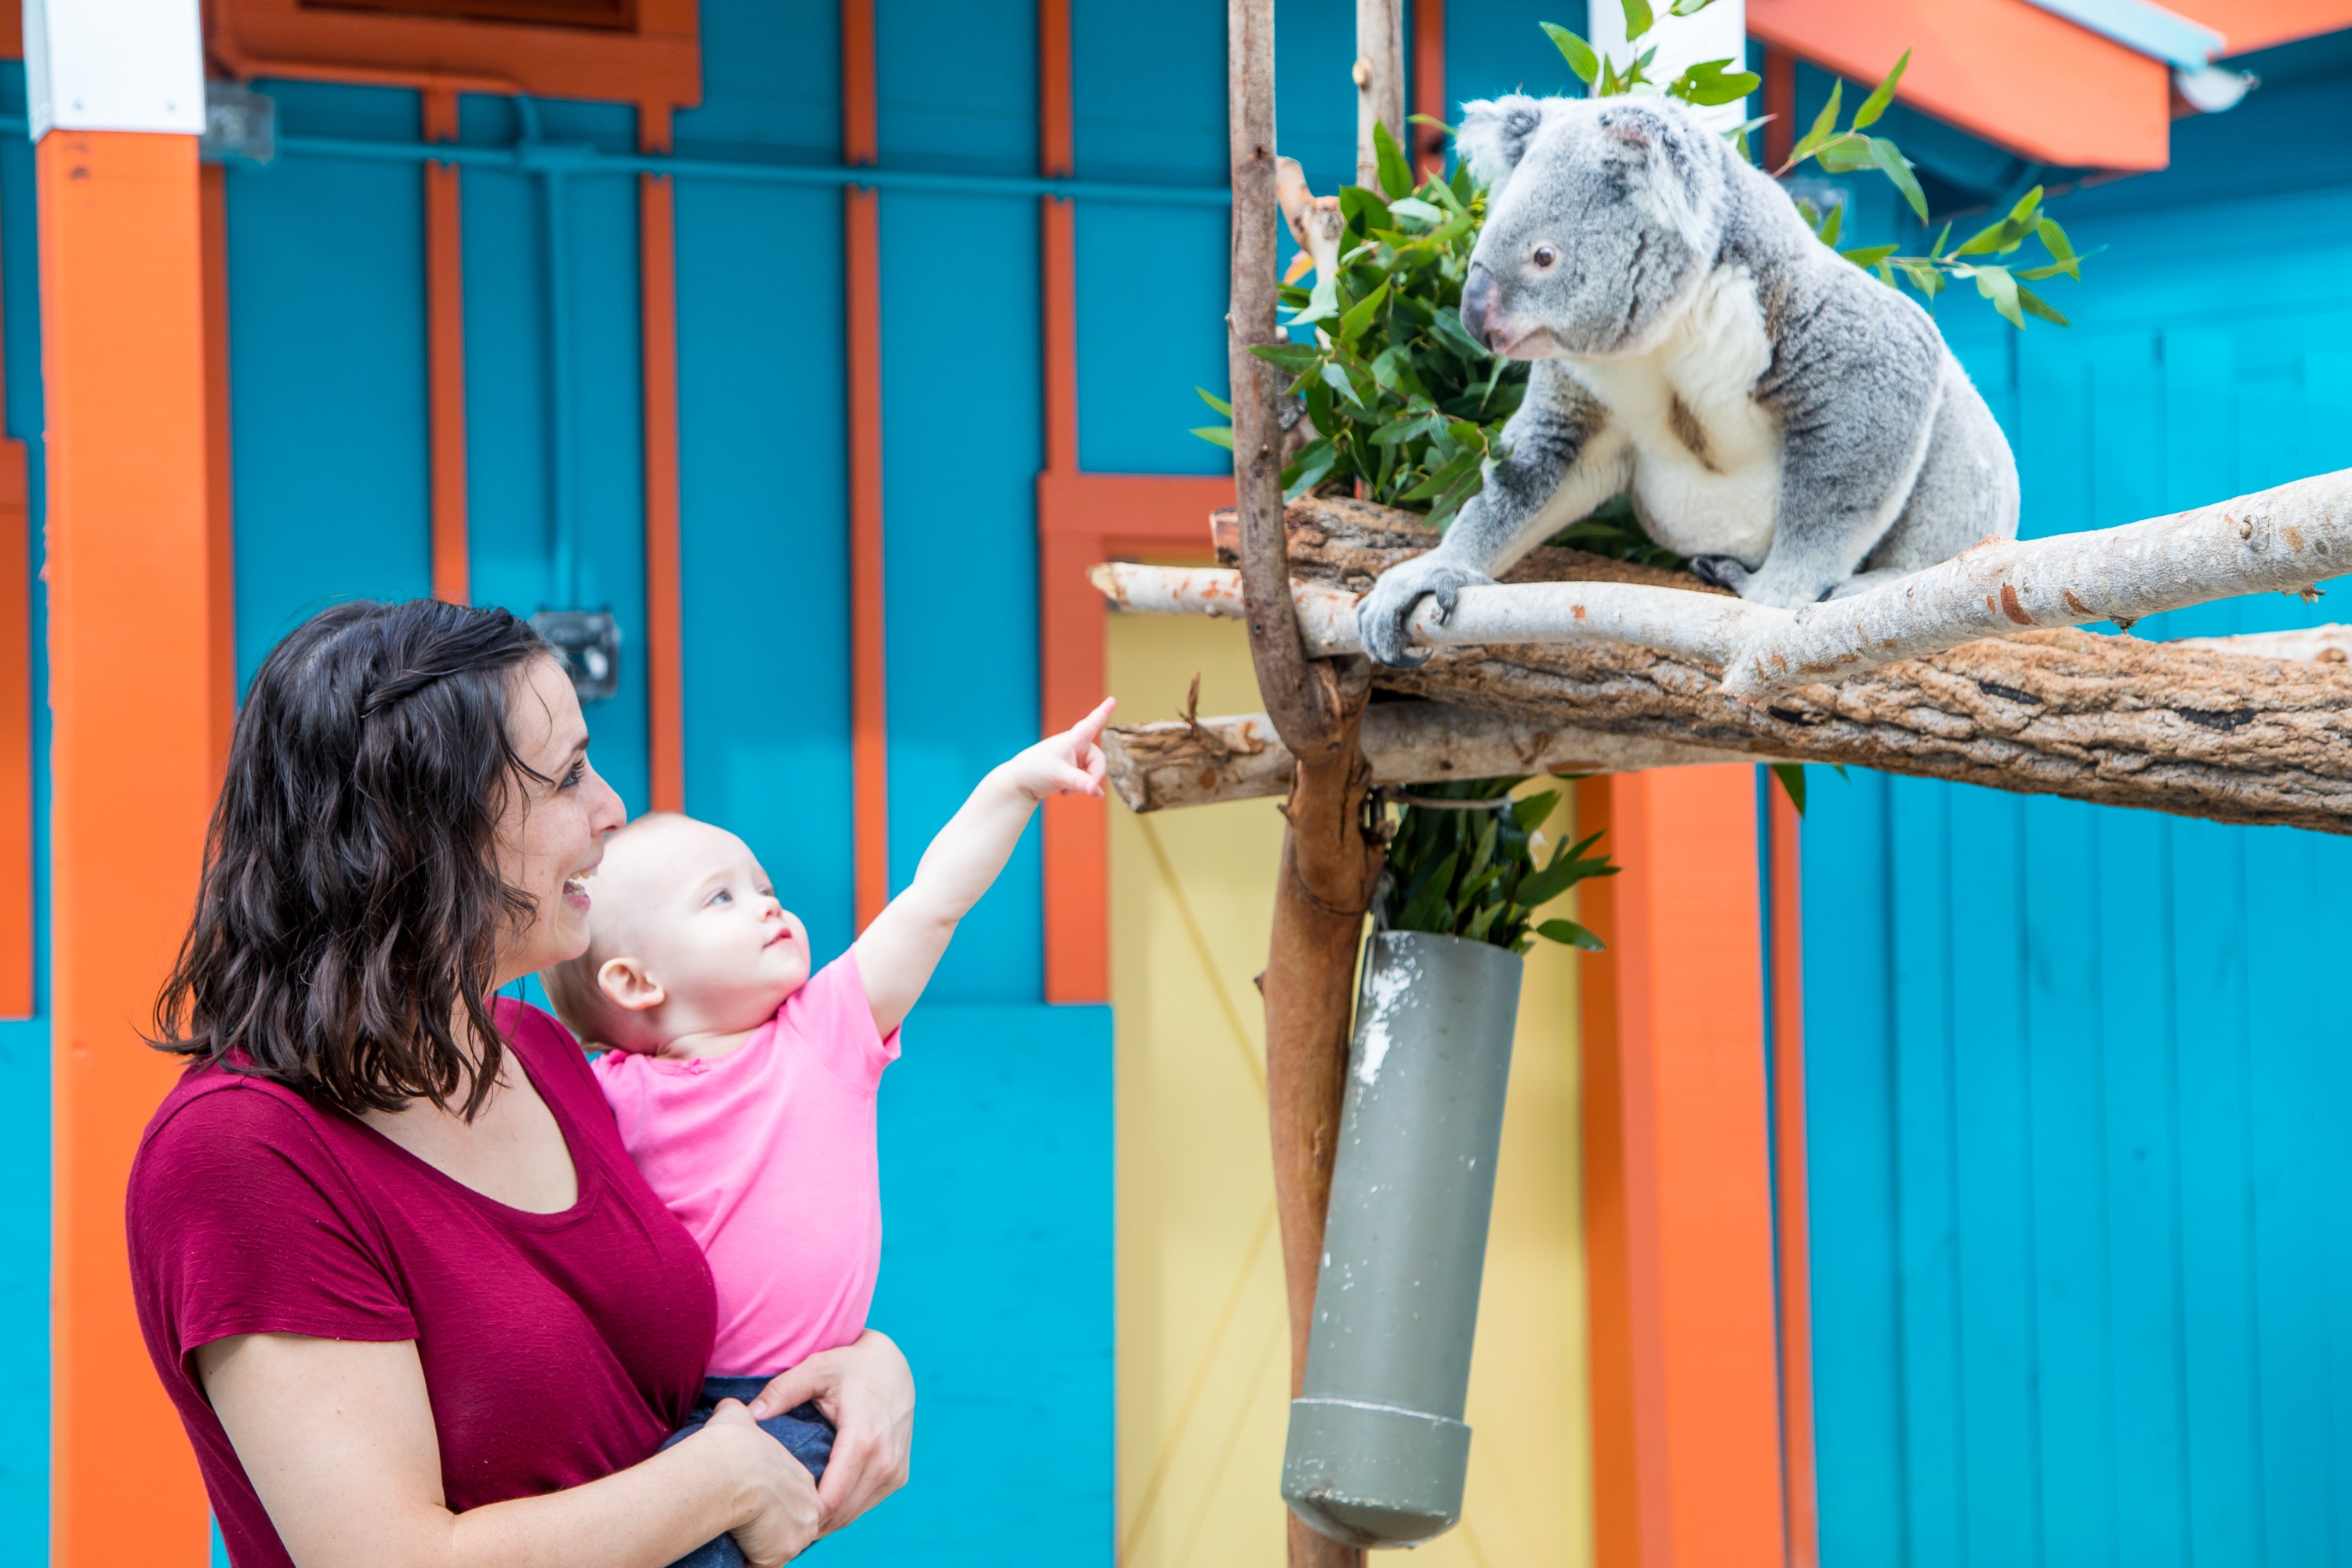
(747, 1087)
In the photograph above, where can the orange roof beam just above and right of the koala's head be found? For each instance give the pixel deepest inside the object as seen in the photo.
(2003, 69)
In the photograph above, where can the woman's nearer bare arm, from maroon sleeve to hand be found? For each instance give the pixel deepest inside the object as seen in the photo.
(338, 1440)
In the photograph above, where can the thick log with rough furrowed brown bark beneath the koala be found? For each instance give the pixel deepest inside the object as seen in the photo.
(2116, 721)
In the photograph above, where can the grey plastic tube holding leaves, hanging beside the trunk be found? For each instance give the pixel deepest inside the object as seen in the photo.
(1379, 1449)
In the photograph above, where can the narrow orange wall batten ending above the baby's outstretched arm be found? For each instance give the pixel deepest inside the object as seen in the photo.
(862, 246)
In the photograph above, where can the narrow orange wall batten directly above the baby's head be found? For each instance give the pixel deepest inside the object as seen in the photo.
(657, 293)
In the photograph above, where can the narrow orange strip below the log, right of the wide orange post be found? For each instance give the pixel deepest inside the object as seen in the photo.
(1789, 1186)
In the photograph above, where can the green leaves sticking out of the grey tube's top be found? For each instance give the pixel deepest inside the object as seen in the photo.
(1476, 873)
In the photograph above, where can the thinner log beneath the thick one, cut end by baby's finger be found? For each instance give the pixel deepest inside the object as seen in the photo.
(1201, 763)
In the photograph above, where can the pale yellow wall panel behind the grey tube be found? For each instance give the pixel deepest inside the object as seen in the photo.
(1203, 1343)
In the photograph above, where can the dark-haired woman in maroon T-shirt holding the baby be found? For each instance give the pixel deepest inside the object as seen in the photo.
(403, 1285)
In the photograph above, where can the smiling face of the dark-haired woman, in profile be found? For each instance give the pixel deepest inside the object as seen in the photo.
(552, 833)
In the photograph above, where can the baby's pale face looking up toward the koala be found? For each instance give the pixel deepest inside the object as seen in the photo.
(697, 911)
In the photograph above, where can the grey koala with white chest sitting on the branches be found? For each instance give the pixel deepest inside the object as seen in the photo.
(1775, 413)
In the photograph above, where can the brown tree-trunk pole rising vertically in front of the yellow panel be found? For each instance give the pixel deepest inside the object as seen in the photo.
(1318, 709)
